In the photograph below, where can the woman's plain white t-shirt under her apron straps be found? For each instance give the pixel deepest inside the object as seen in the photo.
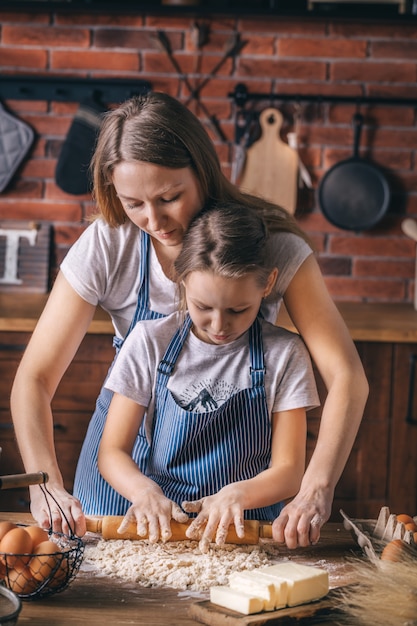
(103, 268)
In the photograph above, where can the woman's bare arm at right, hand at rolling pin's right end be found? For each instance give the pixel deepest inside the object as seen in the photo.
(333, 351)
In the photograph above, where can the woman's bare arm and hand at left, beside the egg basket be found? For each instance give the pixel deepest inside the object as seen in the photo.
(53, 344)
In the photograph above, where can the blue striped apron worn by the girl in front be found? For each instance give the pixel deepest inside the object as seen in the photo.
(193, 455)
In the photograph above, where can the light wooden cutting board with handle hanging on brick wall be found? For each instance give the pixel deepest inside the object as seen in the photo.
(271, 167)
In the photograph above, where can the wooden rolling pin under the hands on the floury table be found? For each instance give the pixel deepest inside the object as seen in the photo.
(107, 526)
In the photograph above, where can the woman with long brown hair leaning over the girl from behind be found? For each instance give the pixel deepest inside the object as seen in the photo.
(154, 169)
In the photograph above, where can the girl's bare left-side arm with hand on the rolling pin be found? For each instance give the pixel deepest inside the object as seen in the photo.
(150, 508)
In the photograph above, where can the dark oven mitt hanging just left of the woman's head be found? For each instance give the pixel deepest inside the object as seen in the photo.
(72, 170)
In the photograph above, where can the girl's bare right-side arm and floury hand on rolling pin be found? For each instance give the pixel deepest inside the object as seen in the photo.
(279, 482)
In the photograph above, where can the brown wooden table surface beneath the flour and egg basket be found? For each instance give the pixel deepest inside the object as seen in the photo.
(98, 601)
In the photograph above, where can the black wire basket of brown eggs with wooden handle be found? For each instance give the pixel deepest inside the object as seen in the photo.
(42, 573)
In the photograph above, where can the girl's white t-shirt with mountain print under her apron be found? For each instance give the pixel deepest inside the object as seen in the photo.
(217, 371)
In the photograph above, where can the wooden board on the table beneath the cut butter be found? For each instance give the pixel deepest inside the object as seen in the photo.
(214, 615)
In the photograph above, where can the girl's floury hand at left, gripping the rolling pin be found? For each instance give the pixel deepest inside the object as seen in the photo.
(152, 515)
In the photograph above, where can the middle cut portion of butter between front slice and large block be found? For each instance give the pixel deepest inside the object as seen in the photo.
(254, 581)
